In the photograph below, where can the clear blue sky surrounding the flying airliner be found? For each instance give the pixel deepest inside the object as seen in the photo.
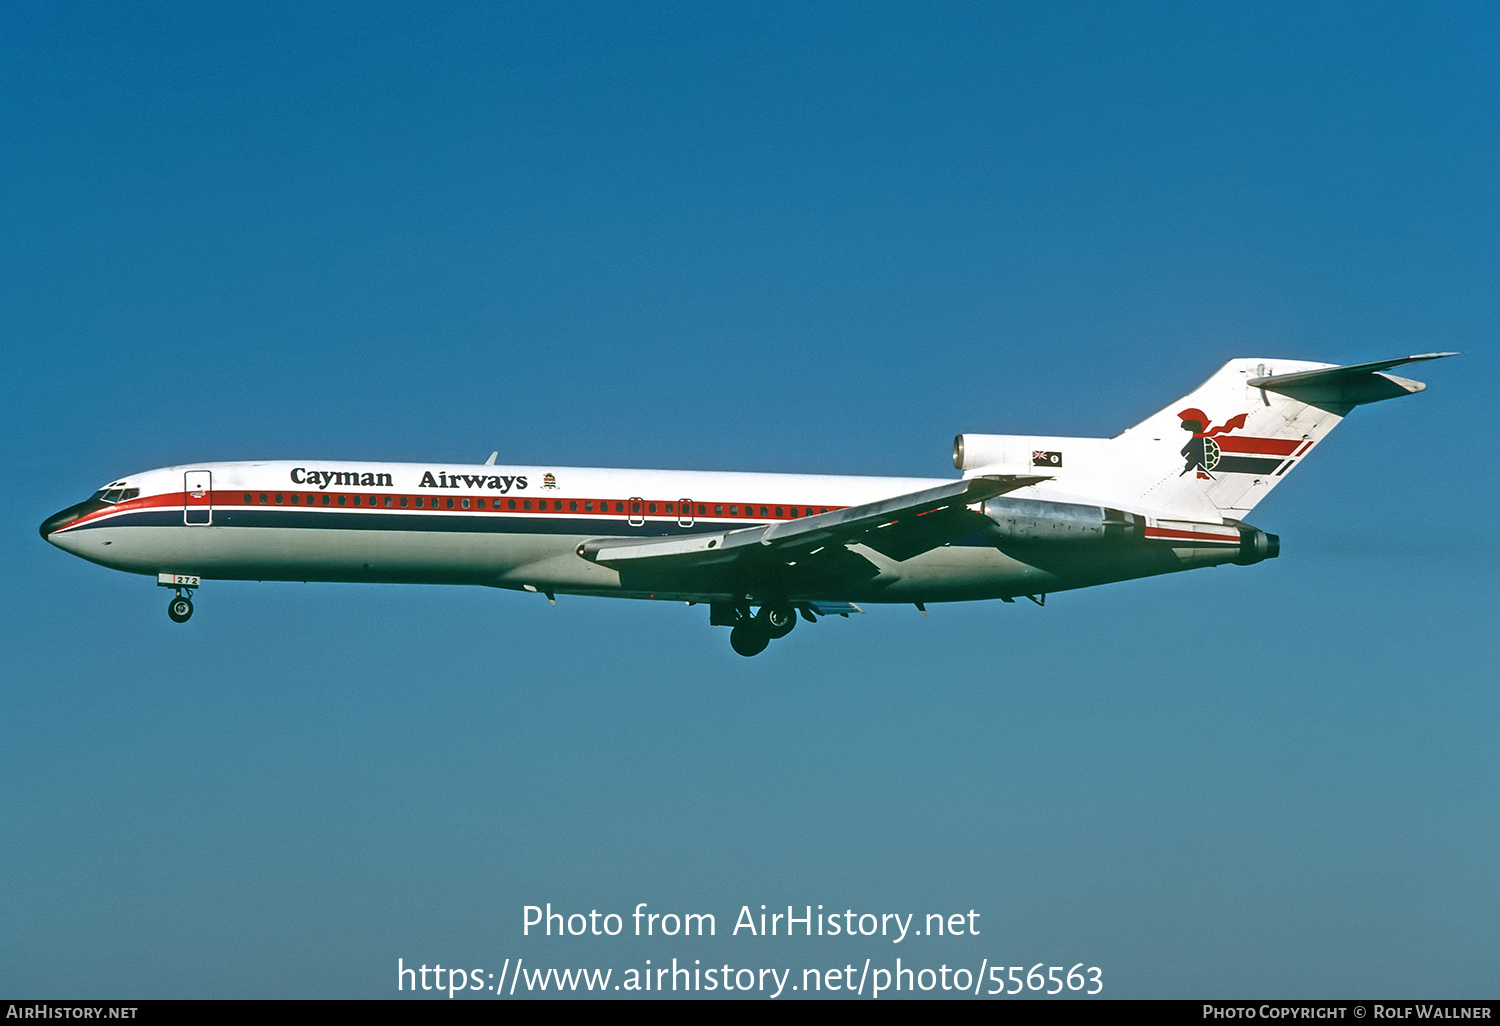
(793, 238)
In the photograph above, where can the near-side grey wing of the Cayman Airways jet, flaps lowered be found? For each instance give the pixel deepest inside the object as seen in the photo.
(898, 527)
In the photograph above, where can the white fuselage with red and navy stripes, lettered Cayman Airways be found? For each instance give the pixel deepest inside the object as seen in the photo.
(523, 527)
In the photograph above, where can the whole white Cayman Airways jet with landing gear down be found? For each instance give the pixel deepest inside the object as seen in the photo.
(1028, 517)
